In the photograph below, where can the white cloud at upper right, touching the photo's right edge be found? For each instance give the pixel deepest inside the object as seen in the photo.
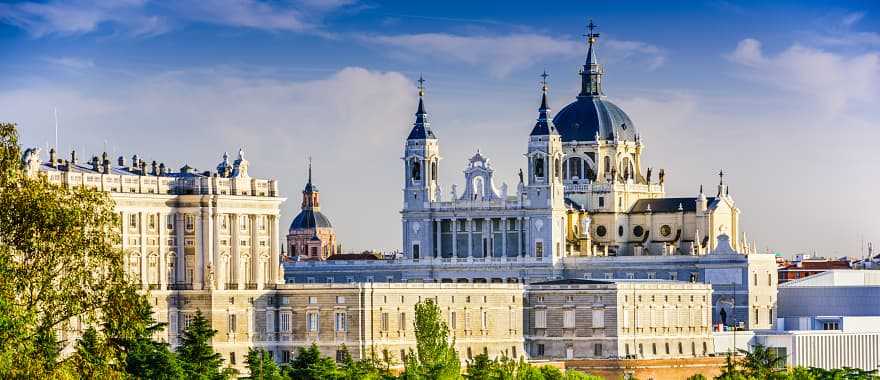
(834, 81)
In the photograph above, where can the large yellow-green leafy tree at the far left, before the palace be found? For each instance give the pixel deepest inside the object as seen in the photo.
(59, 261)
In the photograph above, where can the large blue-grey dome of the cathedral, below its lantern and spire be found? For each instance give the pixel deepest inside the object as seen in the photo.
(588, 115)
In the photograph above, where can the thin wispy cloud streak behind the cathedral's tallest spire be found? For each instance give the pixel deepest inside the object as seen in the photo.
(503, 55)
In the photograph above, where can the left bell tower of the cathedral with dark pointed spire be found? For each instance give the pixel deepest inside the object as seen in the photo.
(421, 158)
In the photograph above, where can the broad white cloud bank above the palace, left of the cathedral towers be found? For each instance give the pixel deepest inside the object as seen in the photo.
(352, 122)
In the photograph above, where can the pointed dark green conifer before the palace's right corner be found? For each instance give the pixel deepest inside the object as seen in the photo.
(198, 359)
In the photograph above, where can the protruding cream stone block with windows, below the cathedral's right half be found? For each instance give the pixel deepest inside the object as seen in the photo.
(591, 319)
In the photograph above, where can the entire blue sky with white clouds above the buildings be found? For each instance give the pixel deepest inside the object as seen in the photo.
(782, 96)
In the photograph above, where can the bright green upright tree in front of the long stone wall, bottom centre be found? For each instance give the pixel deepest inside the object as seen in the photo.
(435, 356)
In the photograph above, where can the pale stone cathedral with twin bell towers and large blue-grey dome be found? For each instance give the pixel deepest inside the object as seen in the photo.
(585, 192)
